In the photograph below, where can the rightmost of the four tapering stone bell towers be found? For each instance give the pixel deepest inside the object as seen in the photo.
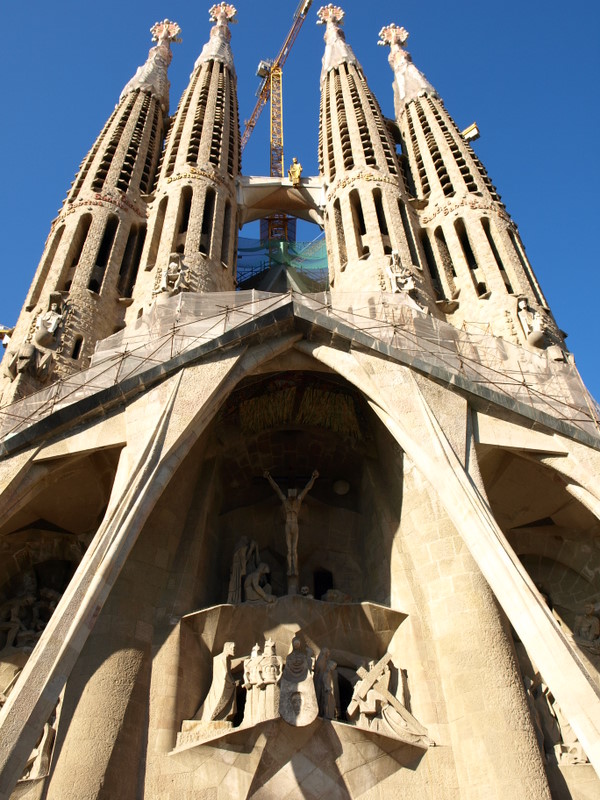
(472, 247)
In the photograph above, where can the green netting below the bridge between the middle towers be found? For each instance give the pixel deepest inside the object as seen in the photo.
(307, 259)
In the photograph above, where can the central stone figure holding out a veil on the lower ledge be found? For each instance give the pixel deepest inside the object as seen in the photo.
(298, 701)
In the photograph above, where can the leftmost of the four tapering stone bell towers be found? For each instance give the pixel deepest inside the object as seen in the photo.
(89, 266)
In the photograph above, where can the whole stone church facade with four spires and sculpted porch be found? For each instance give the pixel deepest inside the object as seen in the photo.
(262, 541)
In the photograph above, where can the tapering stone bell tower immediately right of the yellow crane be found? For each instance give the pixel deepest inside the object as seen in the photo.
(370, 229)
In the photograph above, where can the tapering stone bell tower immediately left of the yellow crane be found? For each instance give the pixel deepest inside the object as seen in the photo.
(194, 210)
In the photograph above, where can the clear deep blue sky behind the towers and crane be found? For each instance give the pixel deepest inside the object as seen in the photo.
(527, 72)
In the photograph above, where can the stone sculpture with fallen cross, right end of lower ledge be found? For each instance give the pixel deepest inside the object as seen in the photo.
(374, 708)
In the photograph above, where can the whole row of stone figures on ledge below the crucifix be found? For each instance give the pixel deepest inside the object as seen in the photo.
(299, 690)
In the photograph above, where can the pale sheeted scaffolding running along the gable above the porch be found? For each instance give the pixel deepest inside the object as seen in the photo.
(548, 392)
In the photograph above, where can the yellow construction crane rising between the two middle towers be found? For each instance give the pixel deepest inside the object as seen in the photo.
(270, 73)
